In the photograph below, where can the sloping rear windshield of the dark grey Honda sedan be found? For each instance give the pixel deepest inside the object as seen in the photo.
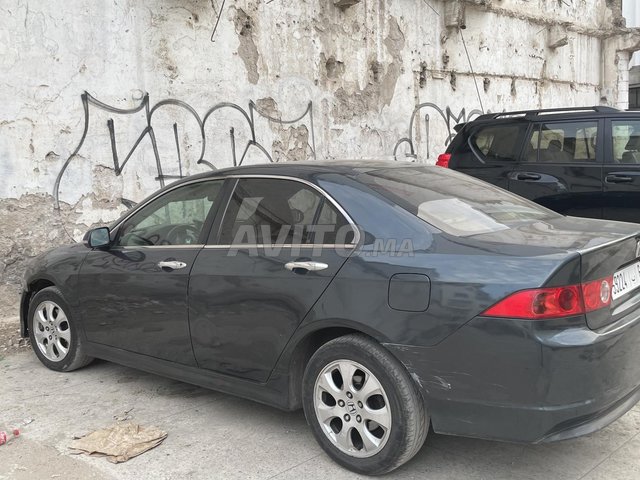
(453, 202)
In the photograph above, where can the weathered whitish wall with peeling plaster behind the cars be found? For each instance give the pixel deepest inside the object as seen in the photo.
(350, 78)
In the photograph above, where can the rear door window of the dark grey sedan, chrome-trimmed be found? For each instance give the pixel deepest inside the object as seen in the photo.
(276, 211)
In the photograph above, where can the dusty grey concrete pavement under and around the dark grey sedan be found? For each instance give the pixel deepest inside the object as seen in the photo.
(212, 435)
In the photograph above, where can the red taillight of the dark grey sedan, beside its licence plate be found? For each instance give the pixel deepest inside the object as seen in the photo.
(554, 302)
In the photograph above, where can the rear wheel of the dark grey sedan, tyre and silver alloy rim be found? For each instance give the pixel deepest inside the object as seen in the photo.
(343, 414)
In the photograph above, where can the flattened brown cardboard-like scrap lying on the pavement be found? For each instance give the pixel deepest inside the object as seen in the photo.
(119, 442)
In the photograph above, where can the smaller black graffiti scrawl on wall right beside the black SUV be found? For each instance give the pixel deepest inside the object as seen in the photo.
(450, 120)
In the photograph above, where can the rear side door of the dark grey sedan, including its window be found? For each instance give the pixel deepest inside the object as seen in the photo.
(276, 250)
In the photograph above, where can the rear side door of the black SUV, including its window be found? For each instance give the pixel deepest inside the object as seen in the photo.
(561, 167)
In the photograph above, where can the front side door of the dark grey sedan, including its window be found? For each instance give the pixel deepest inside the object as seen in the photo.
(134, 294)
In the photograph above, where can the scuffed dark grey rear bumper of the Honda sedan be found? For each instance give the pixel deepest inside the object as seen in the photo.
(525, 381)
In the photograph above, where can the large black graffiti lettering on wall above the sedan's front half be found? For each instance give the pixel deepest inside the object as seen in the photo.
(238, 153)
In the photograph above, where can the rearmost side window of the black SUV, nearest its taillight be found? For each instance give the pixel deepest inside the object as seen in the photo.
(498, 142)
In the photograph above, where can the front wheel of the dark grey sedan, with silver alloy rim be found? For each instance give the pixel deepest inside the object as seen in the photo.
(54, 333)
